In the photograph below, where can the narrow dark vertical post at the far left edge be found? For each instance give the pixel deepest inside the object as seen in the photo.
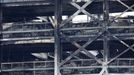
(0, 36)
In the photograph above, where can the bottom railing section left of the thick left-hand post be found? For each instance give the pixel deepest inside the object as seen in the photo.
(29, 66)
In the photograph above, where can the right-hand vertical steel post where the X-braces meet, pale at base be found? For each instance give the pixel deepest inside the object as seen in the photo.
(105, 37)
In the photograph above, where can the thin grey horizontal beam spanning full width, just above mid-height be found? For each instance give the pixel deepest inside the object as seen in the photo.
(68, 29)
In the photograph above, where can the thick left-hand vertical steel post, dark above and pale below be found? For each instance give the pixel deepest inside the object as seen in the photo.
(57, 52)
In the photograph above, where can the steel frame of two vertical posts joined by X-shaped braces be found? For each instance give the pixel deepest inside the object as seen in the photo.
(104, 32)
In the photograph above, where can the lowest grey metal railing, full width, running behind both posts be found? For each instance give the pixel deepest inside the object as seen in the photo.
(120, 65)
